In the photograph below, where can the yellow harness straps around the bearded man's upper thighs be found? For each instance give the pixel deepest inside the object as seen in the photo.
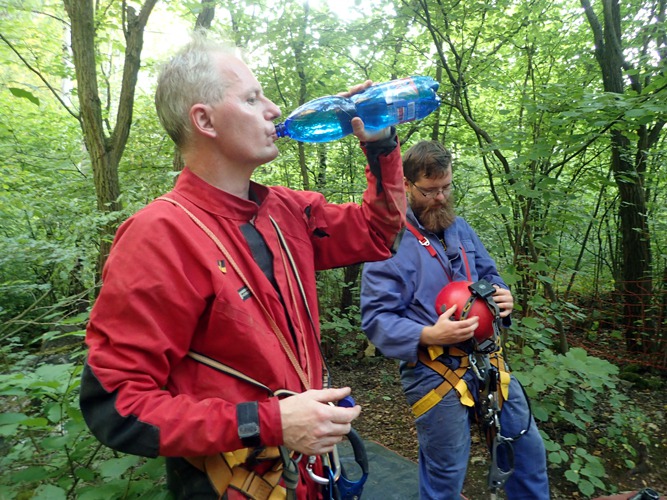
(453, 379)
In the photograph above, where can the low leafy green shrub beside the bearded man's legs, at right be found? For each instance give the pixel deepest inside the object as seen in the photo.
(580, 397)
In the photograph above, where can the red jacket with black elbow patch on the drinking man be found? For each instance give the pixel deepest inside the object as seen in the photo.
(168, 290)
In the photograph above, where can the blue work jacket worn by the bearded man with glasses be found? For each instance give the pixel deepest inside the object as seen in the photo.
(398, 294)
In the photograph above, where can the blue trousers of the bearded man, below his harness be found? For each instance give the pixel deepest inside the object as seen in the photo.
(444, 440)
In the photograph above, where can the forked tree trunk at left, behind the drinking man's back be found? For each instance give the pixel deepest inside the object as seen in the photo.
(105, 144)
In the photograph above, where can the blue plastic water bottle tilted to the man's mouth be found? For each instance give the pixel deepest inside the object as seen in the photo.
(379, 106)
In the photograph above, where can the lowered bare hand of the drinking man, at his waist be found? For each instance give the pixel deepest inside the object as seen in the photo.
(311, 425)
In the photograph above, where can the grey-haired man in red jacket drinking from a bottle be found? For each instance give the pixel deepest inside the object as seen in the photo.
(208, 313)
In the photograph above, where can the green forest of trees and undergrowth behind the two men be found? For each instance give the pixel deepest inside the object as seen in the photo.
(555, 113)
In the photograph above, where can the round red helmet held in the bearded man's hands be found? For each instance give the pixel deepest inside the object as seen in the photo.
(457, 292)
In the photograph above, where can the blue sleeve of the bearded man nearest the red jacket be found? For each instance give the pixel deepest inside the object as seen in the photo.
(386, 293)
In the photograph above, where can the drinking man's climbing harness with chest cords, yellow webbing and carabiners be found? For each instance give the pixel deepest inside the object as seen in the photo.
(226, 470)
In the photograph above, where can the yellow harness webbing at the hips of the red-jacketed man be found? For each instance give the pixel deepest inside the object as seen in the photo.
(226, 470)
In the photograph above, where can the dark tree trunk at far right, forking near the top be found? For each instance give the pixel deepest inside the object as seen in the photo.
(632, 75)
